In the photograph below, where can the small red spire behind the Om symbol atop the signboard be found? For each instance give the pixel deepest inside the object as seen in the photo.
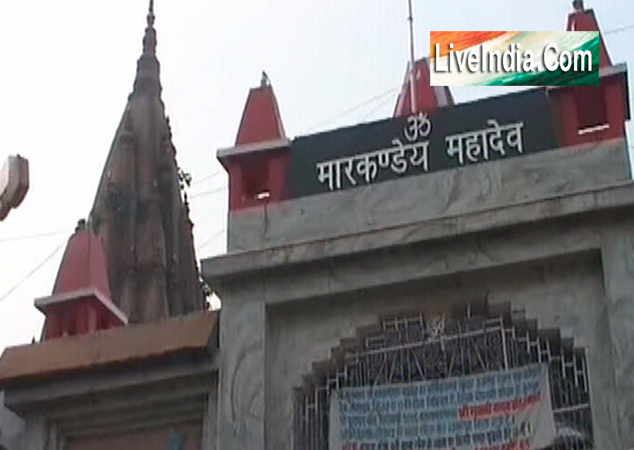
(428, 97)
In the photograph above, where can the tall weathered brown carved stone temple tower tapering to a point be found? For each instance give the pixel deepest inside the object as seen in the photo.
(138, 210)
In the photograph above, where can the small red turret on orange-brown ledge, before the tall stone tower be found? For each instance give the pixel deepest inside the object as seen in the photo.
(80, 303)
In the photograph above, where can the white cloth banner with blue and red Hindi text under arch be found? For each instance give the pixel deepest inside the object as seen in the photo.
(509, 410)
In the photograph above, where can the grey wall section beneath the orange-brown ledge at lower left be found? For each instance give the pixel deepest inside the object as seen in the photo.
(132, 410)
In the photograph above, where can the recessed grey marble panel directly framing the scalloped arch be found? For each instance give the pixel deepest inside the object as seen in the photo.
(567, 294)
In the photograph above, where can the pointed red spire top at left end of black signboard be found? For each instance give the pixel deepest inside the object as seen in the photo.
(261, 120)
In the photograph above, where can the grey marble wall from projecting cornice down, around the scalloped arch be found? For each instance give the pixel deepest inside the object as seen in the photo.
(570, 271)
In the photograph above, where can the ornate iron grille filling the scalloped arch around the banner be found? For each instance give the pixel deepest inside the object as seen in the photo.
(408, 349)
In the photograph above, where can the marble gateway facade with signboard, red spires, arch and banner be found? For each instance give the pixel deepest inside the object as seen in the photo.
(394, 285)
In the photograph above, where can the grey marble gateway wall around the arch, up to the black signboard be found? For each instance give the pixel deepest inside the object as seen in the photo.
(552, 234)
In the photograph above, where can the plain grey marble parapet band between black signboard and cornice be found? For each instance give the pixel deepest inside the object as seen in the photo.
(446, 193)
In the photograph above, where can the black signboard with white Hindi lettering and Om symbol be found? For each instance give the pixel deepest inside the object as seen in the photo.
(448, 138)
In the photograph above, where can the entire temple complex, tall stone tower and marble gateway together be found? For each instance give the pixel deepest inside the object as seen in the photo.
(455, 276)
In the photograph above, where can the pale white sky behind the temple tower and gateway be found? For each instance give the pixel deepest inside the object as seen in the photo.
(67, 67)
